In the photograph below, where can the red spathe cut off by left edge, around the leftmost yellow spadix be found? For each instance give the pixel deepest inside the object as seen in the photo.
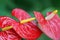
(9, 34)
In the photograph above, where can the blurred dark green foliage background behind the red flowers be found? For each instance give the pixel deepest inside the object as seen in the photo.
(42, 6)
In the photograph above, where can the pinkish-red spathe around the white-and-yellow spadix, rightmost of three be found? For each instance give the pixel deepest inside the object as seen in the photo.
(50, 27)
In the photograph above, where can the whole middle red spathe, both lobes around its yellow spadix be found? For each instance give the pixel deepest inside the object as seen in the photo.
(28, 30)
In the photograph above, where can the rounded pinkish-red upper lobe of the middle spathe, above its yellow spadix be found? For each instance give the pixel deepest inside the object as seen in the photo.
(20, 14)
